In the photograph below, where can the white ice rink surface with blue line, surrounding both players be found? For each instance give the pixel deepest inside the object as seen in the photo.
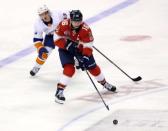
(132, 33)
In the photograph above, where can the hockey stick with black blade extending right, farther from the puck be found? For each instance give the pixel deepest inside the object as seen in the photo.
(133, 79)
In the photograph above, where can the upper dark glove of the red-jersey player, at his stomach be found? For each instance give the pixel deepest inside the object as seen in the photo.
(71, 46)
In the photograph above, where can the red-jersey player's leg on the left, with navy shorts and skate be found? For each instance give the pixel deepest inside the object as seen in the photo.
(67, 61)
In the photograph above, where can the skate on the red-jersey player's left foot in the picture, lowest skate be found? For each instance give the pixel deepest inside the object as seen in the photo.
(59, 96)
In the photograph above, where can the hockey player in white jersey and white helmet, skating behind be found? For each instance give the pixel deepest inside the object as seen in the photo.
(43, 34)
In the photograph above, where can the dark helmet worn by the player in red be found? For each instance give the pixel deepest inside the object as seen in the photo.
(76, 15)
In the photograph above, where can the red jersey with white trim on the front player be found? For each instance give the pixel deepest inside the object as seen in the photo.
(83, 36)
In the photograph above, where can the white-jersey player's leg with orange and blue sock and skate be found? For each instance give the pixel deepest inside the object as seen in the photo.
(43, 53)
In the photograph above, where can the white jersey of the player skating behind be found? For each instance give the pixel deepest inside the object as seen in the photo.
(41, 28)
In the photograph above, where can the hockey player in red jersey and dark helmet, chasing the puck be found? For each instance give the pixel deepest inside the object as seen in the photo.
(74, 39)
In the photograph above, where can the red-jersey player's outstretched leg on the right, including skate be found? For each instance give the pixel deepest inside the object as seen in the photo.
(97, 73)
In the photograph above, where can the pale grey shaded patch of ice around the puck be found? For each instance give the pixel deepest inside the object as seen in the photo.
(130, 120)
